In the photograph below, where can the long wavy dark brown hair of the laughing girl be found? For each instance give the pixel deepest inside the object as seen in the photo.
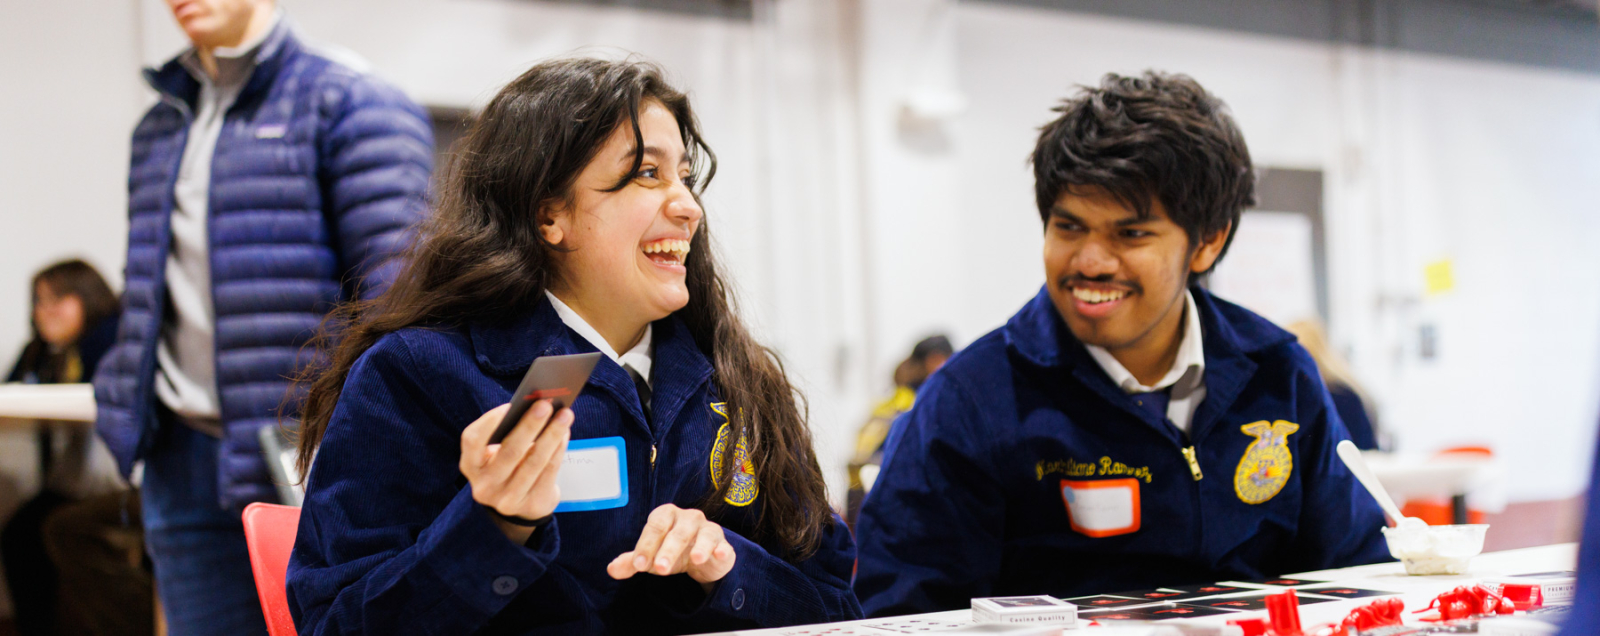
(481, 258)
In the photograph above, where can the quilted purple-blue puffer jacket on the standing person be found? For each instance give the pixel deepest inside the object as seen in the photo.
(318, 180)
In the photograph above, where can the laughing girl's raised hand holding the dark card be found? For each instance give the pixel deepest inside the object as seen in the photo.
(518, 477)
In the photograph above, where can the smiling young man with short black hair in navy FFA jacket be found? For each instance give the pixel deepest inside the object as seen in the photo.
(1126, 429)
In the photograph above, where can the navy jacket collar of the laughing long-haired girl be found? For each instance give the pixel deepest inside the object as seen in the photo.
(679, 372)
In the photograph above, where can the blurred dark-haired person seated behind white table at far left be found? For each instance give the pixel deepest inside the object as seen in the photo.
(74, 324)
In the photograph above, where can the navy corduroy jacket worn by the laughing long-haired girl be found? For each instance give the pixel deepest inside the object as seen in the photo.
(391, 541)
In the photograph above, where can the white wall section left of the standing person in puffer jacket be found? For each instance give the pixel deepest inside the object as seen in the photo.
(71, 101)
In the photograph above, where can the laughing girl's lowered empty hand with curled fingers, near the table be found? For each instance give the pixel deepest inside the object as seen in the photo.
(678, 541)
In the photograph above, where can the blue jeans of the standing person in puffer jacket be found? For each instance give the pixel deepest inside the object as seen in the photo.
(202, 566)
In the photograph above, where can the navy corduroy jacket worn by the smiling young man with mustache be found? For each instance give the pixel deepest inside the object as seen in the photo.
(978, 479)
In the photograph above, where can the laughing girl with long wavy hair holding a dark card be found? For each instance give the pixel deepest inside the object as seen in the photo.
(570, 225)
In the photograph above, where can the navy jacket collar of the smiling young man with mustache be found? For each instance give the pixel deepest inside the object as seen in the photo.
(1233, 338)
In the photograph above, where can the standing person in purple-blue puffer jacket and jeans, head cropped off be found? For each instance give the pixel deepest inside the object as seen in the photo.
(268, 185)
